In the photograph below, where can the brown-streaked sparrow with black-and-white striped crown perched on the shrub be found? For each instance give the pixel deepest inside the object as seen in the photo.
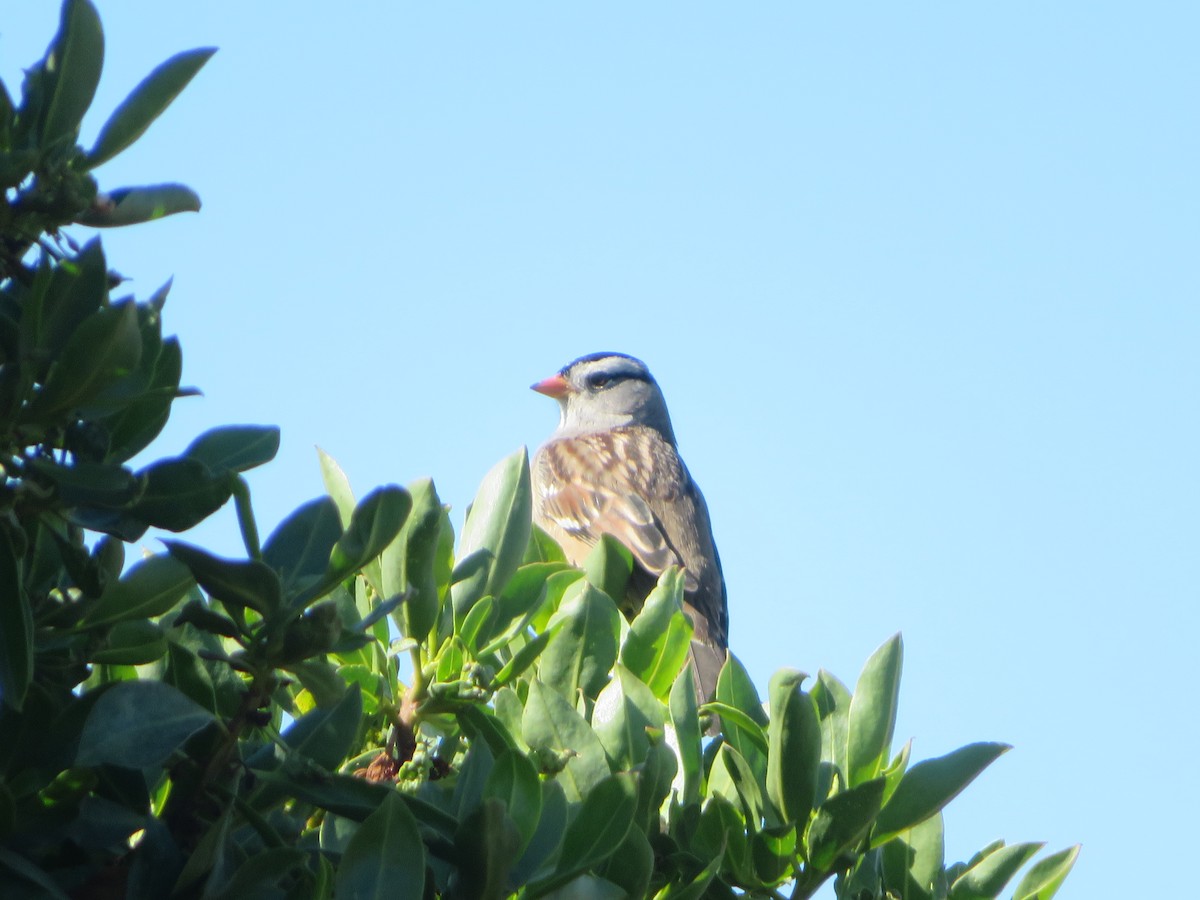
(613, 467)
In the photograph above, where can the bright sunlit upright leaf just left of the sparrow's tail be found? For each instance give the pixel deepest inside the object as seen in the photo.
(657, 644)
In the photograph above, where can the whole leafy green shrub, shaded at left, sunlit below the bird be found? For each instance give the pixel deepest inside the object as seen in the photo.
(358, 707)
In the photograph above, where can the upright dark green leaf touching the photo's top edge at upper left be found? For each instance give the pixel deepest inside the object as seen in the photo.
(74, 64)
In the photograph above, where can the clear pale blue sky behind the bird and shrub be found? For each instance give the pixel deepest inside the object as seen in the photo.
(920, 283)
